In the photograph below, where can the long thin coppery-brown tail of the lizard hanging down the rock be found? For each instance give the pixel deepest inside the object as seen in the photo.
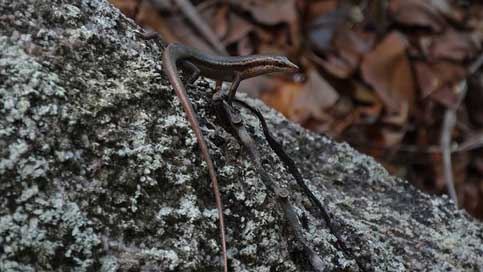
(170, 57)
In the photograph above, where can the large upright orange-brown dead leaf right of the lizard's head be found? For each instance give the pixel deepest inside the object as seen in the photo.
(387, 70)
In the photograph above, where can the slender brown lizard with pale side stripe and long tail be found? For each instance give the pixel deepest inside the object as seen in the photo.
(222, 69)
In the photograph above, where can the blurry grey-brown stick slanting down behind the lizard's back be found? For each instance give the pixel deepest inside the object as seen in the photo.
(199, 23)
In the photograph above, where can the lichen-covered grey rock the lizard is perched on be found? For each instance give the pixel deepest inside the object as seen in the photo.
(100, 171)
